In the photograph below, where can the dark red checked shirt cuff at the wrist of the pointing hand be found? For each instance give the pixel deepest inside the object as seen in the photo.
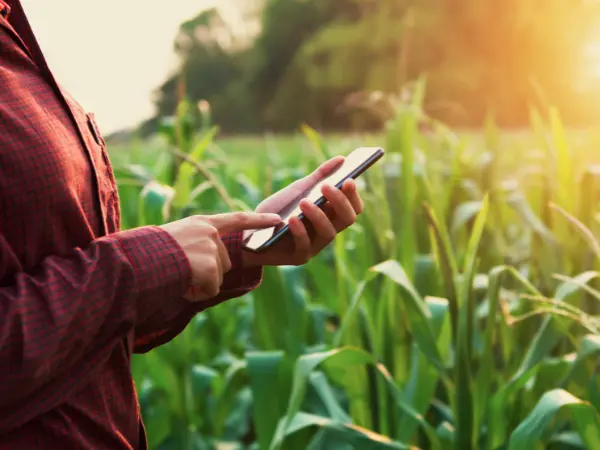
(161, 270)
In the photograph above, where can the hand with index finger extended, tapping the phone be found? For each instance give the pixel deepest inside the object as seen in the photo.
(200, 239)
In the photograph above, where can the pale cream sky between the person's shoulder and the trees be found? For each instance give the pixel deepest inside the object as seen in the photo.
(111, 54)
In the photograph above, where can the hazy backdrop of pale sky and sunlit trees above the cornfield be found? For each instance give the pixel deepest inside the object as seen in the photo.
(267, 65)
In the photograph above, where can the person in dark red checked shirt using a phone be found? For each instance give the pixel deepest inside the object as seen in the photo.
(78, 296)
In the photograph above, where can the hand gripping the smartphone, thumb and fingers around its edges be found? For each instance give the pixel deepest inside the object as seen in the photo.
(304, 242)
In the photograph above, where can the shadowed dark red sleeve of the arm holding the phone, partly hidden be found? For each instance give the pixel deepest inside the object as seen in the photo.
(171, 320)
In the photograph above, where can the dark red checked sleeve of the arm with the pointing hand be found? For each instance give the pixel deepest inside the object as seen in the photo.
(80, 305)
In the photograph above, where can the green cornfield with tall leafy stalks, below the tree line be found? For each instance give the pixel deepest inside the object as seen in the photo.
(460, 312)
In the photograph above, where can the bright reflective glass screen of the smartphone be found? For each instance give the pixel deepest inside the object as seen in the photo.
(352, 165)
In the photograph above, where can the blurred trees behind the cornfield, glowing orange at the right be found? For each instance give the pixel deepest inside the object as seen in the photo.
(316, 61)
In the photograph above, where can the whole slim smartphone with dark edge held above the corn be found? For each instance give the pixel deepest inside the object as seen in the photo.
(355, 164)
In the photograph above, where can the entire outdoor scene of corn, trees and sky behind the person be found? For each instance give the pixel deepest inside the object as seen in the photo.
(461, 311)
